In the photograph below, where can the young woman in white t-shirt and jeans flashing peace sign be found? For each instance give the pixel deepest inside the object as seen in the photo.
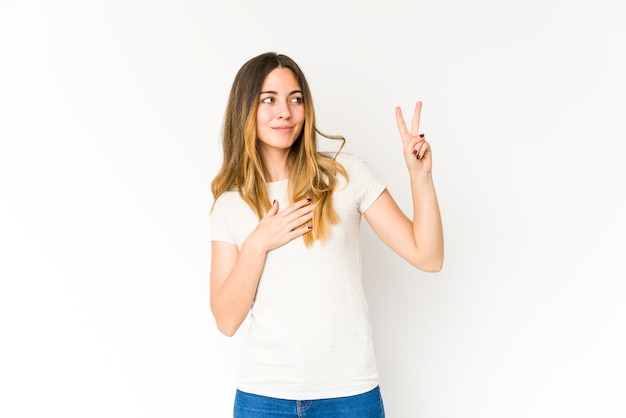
(285, 249)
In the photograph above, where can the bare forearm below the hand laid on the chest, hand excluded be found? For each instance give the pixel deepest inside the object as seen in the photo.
(232, 300)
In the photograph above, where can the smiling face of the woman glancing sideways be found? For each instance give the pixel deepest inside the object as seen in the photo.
(280, 115)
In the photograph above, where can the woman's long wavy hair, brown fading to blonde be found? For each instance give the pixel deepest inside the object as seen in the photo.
(312, 174)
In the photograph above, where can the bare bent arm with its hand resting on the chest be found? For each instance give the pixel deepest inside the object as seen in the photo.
(235, 273)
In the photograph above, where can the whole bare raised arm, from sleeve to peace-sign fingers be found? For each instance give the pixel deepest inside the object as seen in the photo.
(419, 241)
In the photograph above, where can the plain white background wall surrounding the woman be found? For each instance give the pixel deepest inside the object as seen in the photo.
(110, 117)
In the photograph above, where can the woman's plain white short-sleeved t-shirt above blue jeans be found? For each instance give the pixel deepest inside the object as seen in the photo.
(309, 334)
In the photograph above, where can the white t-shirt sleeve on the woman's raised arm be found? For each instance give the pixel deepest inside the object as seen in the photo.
(366, 184)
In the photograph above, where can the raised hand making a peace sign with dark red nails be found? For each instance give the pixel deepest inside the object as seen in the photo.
(417, 152)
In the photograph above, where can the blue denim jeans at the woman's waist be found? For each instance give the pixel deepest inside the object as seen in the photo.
(366, 405)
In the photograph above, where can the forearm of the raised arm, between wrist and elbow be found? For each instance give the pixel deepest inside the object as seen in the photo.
(427, 225)
